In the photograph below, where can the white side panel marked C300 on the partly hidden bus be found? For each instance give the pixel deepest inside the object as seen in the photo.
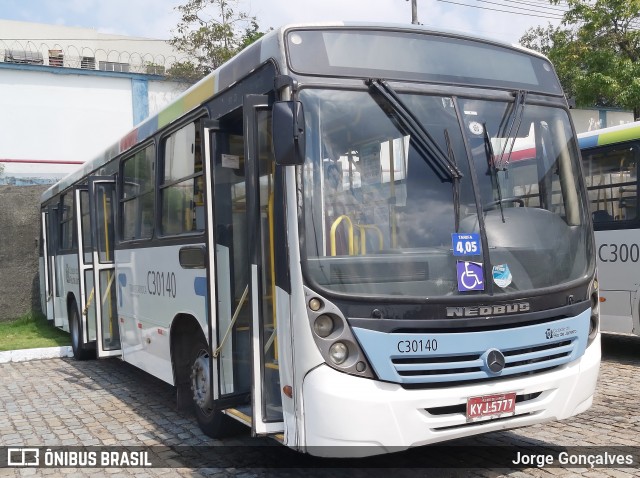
(618, 256)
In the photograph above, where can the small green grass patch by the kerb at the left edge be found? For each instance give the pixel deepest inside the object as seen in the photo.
(31, 331)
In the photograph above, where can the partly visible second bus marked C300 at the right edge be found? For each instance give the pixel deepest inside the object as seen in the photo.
(610, 159)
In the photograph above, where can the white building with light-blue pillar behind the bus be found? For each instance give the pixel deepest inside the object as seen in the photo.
(68, 93)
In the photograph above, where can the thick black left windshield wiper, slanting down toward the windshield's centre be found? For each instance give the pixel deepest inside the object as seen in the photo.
(444, 167)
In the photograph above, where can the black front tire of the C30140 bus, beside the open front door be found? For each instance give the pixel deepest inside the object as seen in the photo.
(213, 423)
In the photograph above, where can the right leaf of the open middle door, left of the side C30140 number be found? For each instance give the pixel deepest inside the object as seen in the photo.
(102, 206)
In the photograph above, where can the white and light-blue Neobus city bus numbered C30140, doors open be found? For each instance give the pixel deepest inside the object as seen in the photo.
(332, 240)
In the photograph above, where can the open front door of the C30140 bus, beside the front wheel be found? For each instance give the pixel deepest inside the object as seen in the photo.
(244, 344)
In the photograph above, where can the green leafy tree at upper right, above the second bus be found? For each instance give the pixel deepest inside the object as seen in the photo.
(595, 51)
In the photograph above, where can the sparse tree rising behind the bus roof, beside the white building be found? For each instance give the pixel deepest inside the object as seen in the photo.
(210, 32)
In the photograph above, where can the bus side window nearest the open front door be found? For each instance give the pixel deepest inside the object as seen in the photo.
(182, 182)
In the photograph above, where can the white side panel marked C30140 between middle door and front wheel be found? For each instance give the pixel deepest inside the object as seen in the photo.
(152, 290)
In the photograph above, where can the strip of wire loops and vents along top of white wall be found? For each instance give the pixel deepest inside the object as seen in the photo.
(70, 56)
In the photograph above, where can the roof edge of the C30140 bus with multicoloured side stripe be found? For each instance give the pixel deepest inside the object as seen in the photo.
(267, 47)
